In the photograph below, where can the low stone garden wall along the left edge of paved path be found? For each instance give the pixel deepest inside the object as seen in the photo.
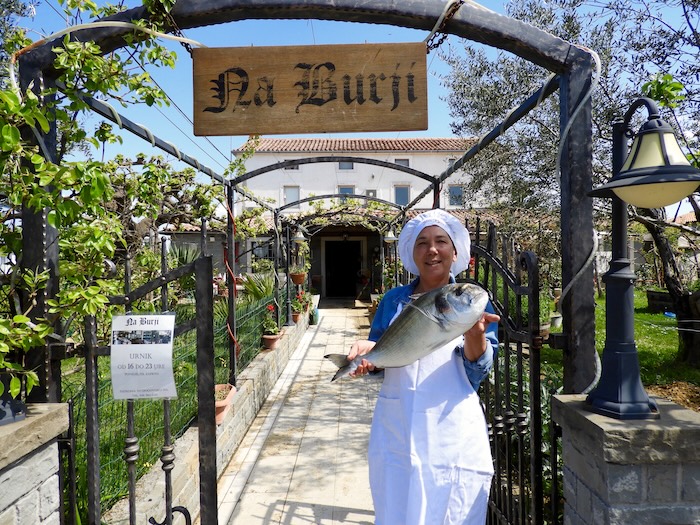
(253, 387)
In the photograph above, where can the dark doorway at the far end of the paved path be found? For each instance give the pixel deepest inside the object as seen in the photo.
(343, 262)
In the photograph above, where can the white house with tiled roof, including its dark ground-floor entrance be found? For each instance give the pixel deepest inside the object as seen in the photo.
(291, 173)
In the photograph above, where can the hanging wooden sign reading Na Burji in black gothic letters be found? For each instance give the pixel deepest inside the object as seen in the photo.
(310, 89)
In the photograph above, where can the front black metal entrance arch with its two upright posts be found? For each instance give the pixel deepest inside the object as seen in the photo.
(572, 64)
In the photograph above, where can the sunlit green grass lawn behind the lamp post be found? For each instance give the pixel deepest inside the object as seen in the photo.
(656, 336)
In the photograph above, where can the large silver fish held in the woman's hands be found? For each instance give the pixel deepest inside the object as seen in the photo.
(424, 325)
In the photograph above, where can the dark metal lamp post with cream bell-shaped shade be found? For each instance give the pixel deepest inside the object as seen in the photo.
(654, 174)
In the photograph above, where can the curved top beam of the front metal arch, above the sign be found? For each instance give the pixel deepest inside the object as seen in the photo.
(472, 22)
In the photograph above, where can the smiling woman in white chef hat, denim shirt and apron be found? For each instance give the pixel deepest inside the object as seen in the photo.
(429, 455)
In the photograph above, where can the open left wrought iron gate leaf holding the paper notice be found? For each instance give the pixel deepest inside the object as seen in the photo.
(203, 323)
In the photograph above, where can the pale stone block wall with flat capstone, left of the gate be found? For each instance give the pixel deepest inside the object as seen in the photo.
(29, 466)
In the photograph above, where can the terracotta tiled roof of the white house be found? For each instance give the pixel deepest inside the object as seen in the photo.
(326, 145)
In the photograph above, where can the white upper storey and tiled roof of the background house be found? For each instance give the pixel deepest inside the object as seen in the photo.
(293, 183)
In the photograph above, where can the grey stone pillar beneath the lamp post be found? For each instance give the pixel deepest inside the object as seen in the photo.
(641, 472)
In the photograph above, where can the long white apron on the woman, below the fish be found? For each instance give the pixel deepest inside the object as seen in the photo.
(429, 456)
